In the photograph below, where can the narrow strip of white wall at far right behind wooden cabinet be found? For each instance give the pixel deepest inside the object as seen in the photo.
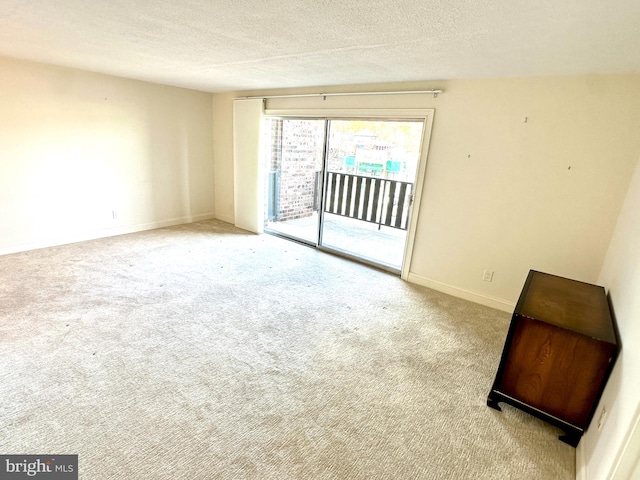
(621, 277)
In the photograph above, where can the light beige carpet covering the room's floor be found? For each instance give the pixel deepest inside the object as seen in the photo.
(204, 352)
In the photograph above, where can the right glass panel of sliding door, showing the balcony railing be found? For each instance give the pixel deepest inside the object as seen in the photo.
(371, 171)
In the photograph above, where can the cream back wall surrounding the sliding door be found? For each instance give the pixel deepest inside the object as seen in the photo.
(499, 193)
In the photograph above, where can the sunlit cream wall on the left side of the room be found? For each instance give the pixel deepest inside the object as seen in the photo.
(74, 146)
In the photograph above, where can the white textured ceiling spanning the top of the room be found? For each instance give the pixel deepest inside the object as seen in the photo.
(220, 45)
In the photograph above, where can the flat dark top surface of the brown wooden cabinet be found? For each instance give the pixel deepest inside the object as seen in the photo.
(573, 305)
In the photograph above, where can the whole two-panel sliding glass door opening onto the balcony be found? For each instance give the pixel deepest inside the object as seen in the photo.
(344, 185)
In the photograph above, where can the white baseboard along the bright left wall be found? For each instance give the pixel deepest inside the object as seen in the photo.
(101, 233)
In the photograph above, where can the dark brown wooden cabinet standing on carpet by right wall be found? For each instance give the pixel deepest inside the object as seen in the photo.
(558, 354)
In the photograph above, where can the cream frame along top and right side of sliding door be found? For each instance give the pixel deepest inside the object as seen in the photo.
(424, 114)
